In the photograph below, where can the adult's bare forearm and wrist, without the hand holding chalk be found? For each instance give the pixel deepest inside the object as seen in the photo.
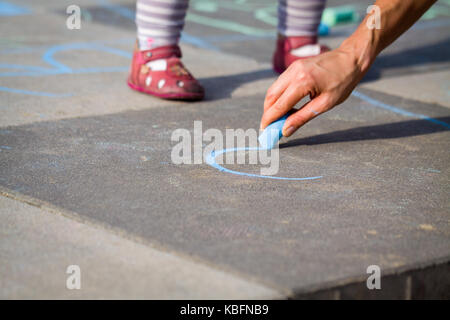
(397, 16)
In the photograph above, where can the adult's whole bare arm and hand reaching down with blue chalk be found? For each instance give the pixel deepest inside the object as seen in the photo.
(329, 78)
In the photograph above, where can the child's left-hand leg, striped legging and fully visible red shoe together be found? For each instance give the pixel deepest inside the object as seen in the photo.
(156, 68)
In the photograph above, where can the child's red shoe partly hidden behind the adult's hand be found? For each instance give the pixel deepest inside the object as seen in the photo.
(290, 49)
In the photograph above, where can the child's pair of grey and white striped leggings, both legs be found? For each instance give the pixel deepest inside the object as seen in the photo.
(159, 22)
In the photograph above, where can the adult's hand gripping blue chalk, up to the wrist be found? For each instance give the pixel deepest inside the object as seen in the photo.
(328, 79)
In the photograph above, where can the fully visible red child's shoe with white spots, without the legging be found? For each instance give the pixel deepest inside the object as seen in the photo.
(160, 72)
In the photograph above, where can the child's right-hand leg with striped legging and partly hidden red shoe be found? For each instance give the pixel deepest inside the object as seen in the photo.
(298, 23)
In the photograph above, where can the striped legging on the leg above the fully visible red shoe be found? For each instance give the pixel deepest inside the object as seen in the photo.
(159, 23)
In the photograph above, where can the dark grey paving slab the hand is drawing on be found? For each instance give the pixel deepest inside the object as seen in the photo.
(384, 178)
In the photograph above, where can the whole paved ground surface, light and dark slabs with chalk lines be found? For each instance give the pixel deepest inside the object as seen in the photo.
(76, 142)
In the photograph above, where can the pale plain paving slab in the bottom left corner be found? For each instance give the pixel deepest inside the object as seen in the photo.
(39, 244)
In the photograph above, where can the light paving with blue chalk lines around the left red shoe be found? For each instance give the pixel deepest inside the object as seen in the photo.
(41, 89)
